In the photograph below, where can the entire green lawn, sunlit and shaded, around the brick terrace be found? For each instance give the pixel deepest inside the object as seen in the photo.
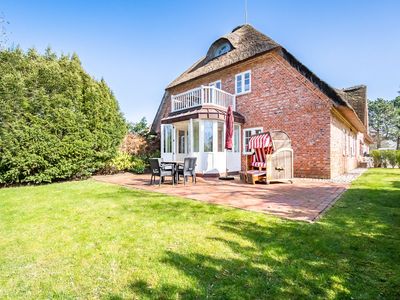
(93, 240)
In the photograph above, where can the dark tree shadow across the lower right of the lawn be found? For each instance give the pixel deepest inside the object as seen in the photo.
(349, 253)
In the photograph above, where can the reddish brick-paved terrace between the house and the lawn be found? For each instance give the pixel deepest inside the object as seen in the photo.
(302, 200)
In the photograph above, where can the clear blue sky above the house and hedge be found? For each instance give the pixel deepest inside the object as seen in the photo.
(138, 47)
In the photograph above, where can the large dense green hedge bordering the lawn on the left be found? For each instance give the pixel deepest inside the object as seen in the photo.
(56, 122)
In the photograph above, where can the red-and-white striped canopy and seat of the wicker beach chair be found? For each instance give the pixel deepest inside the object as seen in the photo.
(261, 145)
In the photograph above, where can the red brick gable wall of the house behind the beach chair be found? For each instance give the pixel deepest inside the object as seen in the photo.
(281, 99)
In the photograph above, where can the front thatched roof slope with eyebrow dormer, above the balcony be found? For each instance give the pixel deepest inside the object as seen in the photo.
(246, 43)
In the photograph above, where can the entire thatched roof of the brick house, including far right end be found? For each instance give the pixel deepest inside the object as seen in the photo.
(246, 42)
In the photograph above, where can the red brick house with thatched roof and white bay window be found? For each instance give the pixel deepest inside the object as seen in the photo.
(269, 89)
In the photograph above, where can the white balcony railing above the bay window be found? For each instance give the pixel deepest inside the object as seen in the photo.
(200, 96)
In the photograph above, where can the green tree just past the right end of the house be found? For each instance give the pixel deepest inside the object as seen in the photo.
(382, 119)
